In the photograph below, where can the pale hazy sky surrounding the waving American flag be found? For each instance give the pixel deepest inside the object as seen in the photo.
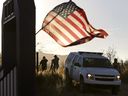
(110, 15)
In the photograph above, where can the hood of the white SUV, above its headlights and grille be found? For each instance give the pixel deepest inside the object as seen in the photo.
(102, 71)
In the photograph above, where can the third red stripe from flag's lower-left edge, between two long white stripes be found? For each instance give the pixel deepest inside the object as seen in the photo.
(66, 28)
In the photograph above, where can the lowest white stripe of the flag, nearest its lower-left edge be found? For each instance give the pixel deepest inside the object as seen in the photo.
(61, 38)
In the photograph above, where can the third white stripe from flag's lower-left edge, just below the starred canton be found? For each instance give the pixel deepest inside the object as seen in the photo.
(75, 31)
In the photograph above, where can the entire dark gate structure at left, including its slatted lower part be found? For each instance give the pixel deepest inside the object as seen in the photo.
(18, 48)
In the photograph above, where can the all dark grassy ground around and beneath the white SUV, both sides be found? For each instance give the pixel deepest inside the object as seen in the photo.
(53, 84)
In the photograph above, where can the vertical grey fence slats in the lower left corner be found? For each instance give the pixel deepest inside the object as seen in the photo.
(8, 83)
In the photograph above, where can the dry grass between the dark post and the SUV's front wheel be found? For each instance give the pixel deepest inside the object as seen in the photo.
(52, 84)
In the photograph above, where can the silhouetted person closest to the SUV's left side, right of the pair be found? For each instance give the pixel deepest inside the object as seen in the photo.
(54, 63)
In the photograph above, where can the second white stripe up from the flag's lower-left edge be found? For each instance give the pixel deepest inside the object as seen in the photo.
(62, 29)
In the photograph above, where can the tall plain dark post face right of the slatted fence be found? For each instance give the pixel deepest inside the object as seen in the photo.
(25, 19)
